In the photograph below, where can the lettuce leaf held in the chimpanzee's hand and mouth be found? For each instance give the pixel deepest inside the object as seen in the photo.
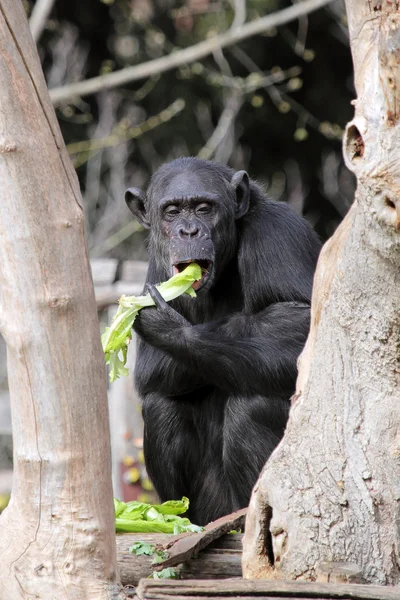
(116, 338)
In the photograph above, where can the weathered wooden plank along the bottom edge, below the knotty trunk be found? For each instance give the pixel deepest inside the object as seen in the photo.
(244, 588)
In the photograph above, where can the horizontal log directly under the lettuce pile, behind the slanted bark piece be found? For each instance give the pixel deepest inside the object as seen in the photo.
(221, 559)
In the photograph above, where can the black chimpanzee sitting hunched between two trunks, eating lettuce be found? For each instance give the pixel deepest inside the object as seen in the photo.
(216, 372)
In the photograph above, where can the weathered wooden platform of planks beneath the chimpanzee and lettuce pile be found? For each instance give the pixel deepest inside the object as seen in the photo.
(211, 568)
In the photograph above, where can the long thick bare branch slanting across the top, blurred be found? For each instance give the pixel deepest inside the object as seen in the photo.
(186, 55)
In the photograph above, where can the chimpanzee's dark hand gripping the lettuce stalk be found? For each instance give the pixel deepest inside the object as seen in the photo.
(160, 324)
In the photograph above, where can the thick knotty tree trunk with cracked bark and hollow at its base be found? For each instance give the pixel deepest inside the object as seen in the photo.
(327, 504)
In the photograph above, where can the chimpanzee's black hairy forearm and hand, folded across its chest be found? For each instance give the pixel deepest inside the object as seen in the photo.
(247, 354)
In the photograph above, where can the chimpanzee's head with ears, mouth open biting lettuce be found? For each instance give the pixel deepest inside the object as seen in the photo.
(192, 218)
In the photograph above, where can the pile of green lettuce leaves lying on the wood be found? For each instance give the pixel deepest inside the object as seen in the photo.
(139, 517)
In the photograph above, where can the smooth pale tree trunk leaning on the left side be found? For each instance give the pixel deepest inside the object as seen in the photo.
(57, 535)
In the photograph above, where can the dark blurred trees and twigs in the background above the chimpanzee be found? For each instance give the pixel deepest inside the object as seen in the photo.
(274, 104)
